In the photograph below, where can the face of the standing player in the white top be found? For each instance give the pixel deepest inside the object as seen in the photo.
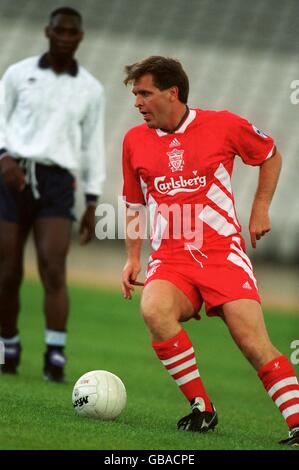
(64, 33)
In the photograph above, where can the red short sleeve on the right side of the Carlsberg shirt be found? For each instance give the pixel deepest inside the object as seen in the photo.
(249, 142)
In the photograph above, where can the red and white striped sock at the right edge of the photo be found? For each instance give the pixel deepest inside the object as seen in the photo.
(279, 379)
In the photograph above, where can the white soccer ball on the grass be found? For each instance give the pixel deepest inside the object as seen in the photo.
(99, 394)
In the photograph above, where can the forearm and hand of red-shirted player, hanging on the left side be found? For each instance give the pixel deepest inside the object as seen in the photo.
(133, 245)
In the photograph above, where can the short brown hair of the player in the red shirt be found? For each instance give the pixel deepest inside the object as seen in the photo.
(166, 73)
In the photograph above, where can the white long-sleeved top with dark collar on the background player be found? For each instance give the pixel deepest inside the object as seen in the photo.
(55, 119)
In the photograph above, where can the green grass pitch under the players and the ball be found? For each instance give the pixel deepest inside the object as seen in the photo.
(106, 332)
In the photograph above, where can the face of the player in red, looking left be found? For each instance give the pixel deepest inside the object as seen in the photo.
(155, 105)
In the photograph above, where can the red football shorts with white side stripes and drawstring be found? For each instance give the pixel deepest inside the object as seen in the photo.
(214, 277)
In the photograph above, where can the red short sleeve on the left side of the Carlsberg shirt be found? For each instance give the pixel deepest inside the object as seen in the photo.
(132, 191)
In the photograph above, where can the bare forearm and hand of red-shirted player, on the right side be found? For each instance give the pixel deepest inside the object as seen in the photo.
(259, 223)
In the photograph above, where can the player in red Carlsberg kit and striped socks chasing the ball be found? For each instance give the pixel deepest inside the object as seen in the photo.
(179, 164)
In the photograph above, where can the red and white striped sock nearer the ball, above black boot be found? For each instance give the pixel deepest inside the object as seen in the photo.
(177, 355)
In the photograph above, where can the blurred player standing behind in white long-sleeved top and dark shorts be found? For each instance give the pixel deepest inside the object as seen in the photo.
(53, 124)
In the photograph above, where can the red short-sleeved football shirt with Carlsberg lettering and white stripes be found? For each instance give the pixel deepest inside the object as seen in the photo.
(185, 177)
